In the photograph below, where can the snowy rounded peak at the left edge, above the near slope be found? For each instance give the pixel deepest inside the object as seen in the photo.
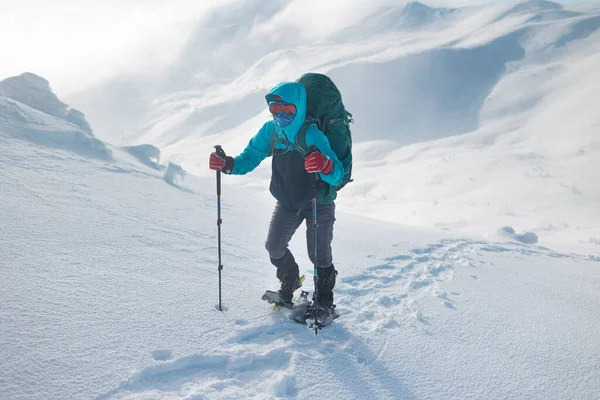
(35, 92)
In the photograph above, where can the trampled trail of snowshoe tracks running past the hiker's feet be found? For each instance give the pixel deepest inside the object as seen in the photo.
(263, 360)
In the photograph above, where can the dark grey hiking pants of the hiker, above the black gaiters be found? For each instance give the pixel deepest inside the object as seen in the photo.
(284, 224)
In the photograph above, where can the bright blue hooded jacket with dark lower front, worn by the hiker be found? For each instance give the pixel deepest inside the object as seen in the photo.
(290, 183)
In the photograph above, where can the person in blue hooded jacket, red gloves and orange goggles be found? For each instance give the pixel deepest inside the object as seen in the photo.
(291, 185)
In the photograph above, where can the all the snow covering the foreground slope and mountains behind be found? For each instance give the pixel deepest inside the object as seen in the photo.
(468, 246)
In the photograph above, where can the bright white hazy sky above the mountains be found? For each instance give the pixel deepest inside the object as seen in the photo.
(75, 43)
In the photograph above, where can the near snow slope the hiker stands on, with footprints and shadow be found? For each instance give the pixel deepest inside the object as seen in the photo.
(108, 286)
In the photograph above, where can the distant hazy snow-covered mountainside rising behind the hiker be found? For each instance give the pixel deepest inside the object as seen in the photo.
(467, 118)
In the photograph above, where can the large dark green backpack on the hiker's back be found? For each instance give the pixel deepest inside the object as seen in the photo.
(324, 108)
